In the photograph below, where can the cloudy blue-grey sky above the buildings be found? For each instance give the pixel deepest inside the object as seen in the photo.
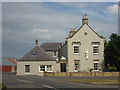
(24, 22)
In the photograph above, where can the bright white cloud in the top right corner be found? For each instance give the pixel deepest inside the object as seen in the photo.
(113, 9)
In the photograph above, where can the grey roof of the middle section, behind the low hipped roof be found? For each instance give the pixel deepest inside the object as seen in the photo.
(51, 46)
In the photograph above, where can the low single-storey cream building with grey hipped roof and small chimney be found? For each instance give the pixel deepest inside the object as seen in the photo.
(35, 62)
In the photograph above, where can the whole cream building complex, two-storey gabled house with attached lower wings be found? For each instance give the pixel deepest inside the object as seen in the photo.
(83, 50)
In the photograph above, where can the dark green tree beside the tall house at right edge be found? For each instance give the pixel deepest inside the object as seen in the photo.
(112, 52)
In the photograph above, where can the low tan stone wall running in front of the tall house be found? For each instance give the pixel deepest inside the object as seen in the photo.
(81, 73)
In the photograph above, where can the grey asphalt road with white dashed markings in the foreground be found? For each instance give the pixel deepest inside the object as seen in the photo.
(56, 83)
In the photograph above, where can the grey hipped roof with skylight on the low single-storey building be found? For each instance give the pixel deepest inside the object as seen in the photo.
(40, 55)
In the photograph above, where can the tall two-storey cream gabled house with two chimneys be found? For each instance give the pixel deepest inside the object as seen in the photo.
(83, 49)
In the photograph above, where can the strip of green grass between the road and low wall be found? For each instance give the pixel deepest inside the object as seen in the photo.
(93, 81)
